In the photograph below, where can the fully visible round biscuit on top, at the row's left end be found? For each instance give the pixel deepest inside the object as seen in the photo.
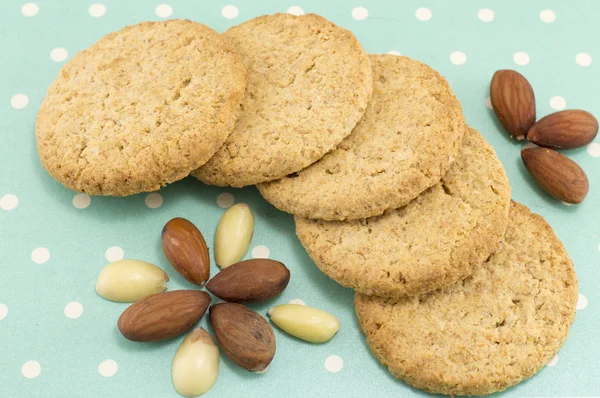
(140, 108)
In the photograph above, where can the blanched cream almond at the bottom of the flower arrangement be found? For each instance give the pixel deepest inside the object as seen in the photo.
(196, 364)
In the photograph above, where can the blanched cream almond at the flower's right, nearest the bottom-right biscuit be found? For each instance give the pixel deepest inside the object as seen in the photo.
(306, 323)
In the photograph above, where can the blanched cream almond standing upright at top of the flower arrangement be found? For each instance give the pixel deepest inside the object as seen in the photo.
(233, 236)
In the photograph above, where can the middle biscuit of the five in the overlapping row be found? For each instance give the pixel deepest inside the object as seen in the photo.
(410, 135)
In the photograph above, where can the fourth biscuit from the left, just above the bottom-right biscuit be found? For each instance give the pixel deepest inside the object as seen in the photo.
(435, 240)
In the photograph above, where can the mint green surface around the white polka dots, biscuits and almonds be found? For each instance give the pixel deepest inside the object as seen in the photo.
(70, 350)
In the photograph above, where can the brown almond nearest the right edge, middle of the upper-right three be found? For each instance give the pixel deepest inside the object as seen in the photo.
(564, 130)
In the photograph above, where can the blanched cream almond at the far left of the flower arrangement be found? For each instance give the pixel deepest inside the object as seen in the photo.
(127, 281)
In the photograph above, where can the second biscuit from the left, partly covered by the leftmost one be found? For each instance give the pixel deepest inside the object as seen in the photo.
(309, 82)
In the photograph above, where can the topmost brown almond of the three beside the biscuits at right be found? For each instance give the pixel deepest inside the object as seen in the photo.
(513, 102)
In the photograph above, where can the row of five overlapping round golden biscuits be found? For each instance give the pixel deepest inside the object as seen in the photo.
(459, 291)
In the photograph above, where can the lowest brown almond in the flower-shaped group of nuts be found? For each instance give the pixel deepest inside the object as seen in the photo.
(245, 336)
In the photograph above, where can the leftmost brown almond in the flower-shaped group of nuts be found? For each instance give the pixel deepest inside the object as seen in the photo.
(163, 315)
